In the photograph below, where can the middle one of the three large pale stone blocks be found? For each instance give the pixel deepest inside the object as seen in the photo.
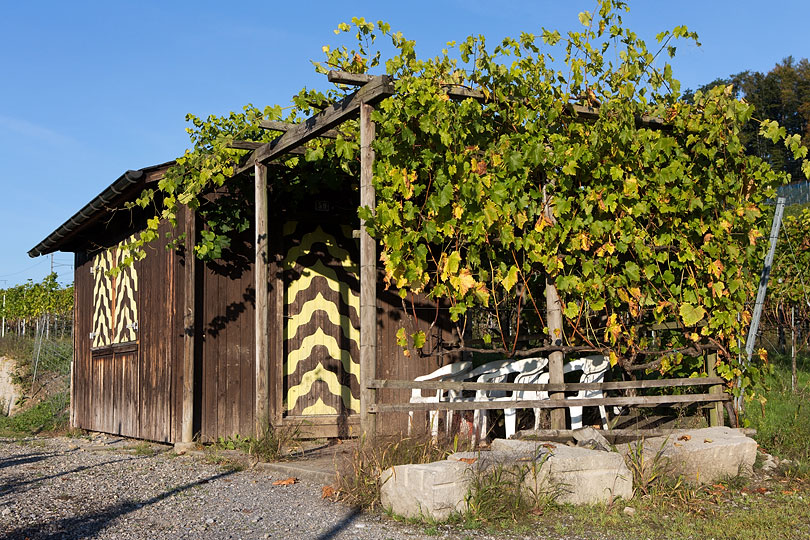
(573, 475)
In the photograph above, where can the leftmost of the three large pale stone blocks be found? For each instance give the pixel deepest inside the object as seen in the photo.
(433, 490)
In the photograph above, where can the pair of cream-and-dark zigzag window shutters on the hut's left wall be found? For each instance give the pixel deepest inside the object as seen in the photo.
(115, 309)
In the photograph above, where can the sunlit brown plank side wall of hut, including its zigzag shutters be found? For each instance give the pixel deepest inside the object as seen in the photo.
(128, 385)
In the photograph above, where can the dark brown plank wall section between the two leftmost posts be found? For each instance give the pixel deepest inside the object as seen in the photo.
(226, 343)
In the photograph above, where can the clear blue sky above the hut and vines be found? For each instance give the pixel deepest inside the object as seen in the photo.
(90, 89)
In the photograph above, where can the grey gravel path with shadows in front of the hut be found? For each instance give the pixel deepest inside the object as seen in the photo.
(70, 488)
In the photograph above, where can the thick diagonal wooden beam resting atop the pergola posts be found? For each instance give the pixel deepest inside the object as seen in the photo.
(377, 89)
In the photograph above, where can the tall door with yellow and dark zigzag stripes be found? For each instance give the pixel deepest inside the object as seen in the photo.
(321, 335)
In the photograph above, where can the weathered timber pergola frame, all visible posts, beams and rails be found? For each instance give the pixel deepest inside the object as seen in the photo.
(373, 89)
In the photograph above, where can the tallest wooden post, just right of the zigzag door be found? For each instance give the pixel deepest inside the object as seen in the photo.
(368, 279)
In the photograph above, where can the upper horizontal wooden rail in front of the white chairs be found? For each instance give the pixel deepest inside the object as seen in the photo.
(531, 387)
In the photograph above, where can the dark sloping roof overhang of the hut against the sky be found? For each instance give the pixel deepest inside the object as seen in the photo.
(71, 234)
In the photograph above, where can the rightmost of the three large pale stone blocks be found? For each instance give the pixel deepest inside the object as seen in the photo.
(704, 455)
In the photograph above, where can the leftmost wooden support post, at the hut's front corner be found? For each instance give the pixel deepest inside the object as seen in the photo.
(189, 283)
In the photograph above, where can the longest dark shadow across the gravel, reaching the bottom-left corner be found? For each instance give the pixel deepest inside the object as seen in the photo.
(89, 525)
